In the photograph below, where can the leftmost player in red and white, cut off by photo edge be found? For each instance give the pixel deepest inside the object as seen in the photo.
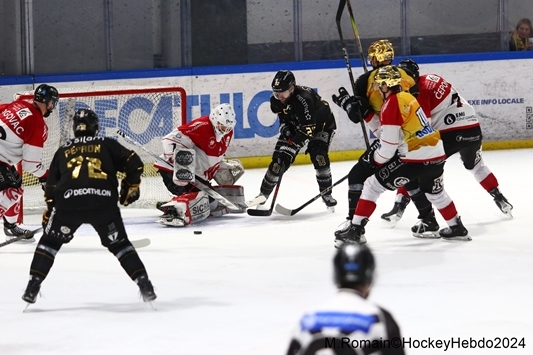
(23, 132)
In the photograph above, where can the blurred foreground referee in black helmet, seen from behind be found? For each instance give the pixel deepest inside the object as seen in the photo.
(348, 323)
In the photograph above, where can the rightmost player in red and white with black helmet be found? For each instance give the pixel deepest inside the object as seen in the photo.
(460, 131)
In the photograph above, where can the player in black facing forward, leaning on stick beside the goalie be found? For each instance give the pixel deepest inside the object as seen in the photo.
(305, 118)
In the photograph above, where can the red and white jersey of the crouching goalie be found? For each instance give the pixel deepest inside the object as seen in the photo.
(200, 136)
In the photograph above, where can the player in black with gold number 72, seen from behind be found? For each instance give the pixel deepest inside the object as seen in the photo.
(82, 187)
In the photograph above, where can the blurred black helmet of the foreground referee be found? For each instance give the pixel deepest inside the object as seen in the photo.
(353, 265)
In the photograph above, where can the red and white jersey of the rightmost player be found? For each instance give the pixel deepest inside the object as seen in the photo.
(444, 105)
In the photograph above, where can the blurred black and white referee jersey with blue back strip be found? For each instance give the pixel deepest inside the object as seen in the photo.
(347, 321)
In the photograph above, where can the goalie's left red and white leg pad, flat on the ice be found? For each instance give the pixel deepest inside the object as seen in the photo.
(190, 207)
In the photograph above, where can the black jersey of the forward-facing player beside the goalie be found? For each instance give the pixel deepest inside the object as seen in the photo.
(306, 111)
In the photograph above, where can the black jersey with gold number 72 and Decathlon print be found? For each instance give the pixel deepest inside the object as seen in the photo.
(83, 173)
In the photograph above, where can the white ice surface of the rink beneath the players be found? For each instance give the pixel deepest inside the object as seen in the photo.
(241, 286)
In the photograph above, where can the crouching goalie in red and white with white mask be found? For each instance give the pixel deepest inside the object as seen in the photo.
(197, 149)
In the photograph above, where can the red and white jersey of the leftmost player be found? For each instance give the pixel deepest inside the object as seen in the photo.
(23, 132)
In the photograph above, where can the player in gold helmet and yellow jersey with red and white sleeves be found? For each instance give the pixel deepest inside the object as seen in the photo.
(408, 149)
